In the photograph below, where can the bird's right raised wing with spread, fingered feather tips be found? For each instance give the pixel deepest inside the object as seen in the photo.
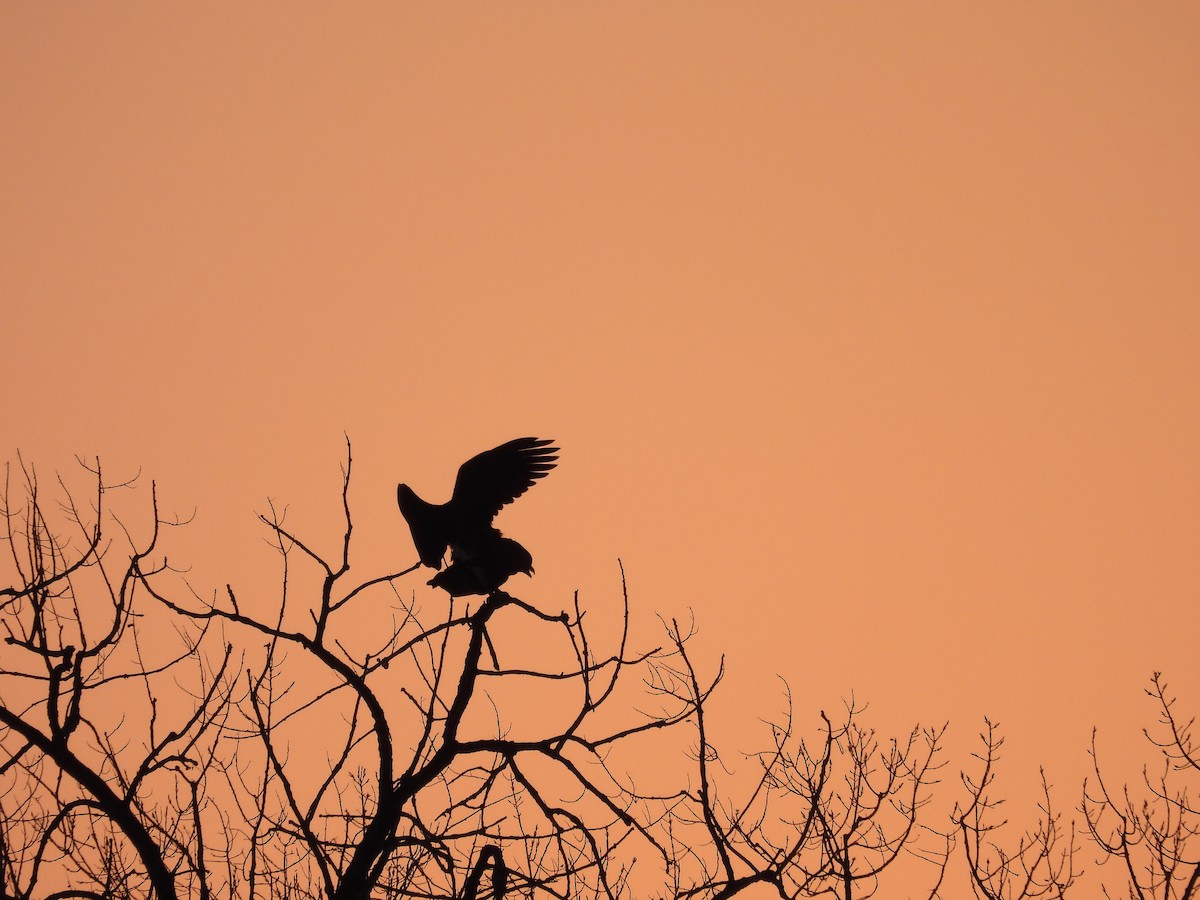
(499, 477)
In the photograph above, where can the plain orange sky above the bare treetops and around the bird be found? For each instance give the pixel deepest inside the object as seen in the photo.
(868, 332)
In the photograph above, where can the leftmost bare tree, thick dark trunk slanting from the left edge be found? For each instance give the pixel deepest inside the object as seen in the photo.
(93, 796)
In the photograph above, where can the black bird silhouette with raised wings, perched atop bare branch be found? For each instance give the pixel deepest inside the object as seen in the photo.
(482, 559)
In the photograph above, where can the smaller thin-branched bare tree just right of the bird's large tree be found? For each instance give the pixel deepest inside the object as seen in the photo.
(823, 817)
